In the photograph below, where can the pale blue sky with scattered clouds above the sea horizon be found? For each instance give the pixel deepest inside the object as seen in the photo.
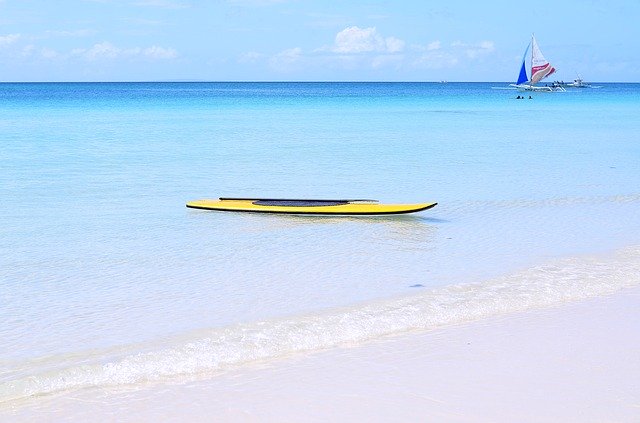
(321, 40)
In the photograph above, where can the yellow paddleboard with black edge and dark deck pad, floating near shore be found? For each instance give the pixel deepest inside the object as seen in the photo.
(317, 207)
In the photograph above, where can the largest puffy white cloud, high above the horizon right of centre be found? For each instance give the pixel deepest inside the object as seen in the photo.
(355, 40)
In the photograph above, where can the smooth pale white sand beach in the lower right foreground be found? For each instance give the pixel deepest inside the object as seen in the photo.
(575, 363)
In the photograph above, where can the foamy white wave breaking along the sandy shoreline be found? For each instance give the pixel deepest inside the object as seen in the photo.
(211, 351)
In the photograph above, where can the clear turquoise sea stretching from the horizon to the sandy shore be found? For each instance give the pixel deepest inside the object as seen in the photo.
(107, 280)
